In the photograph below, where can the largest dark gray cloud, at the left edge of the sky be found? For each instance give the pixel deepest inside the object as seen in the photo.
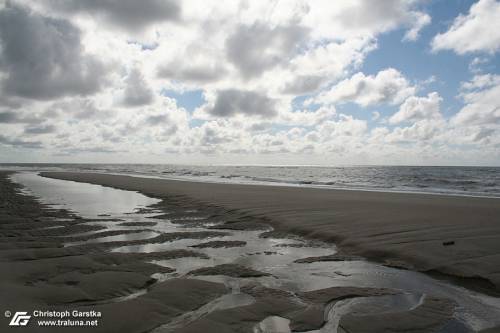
(43, 57)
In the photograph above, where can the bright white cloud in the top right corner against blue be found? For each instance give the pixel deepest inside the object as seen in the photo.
(475, 32)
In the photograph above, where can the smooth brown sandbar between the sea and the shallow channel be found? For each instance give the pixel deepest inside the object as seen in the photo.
(448, 236)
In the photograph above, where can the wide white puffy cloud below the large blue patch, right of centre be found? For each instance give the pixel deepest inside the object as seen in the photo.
(387, 87)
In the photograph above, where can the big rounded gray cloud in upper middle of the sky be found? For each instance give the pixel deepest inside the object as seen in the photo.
(257, 48)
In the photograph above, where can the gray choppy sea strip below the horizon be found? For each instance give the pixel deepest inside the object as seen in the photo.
(468, 181)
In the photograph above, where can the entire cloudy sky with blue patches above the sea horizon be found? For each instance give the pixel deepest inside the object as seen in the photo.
(318, 82)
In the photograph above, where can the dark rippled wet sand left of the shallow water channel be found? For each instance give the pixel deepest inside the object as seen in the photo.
(39, 273)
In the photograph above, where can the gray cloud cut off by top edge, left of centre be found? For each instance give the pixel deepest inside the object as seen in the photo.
(127, 14)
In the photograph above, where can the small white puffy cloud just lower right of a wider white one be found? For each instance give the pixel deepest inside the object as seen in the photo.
(418, 108)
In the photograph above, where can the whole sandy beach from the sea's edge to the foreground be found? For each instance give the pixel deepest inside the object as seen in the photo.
(208, 257)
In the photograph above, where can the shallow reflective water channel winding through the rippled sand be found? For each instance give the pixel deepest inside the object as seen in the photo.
(274, 256)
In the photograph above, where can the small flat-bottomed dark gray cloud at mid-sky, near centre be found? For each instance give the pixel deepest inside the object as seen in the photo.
(231, 102)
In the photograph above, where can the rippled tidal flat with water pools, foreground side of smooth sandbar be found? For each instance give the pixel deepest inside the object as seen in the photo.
(179, 265)
